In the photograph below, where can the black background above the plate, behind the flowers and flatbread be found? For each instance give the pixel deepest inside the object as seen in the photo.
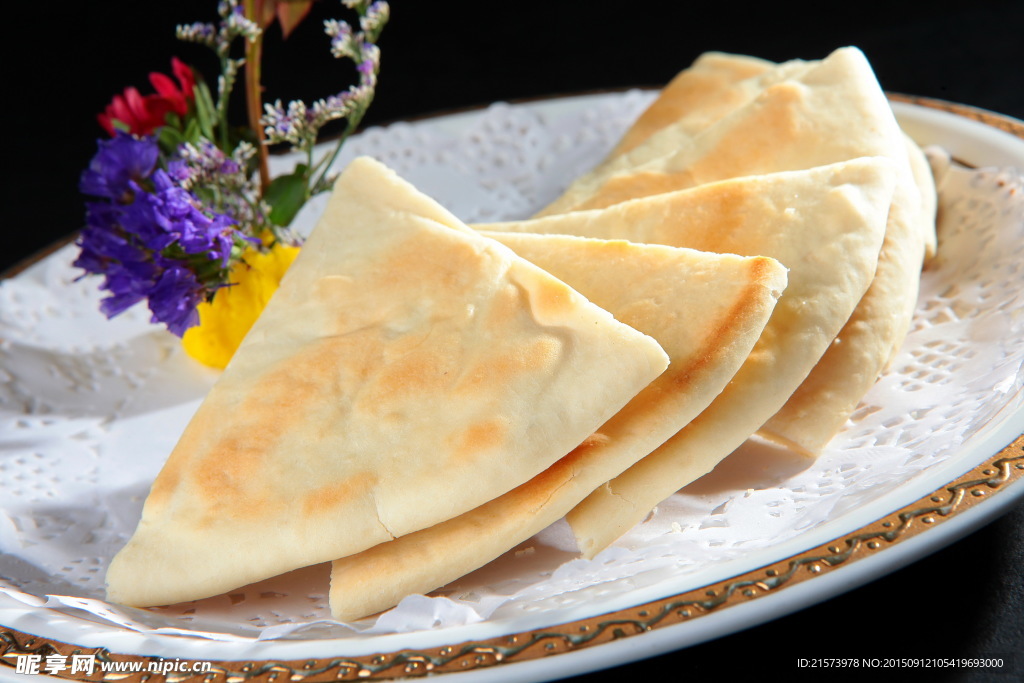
(64, 65)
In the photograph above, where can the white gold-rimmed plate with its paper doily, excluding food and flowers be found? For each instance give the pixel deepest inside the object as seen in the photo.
(92, 408)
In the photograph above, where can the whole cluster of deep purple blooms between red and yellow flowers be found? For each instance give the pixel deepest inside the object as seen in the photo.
(150, 237)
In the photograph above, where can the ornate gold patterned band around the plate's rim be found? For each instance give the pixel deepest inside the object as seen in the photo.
(965, 493)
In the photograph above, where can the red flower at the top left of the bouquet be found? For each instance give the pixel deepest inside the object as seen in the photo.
(145, 114)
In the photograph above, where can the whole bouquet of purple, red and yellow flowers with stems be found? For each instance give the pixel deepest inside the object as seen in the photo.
(183, 211)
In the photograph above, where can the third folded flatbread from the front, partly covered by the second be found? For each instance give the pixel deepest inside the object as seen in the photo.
(827, 225)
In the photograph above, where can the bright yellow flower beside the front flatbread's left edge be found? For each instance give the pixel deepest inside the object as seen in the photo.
(226, 321)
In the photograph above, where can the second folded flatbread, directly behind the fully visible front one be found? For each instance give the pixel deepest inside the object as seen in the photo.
(707, 311)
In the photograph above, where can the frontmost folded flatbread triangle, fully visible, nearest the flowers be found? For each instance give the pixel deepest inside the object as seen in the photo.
(407, 371)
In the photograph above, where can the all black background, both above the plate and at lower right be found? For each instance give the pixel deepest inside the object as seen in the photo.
(65, 63)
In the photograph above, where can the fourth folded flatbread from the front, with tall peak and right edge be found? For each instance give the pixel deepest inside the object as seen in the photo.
(822, 113)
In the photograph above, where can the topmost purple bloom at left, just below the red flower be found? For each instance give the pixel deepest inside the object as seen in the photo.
(119, 162)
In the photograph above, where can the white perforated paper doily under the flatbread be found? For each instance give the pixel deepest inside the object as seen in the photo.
(90, 409)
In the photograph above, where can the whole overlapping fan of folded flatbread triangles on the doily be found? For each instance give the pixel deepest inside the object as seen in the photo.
(420, 397)
